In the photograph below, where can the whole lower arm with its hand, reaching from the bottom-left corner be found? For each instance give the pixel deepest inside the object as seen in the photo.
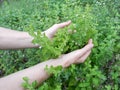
(37, 72)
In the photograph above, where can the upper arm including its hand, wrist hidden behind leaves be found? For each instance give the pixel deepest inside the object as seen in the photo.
(11, 39)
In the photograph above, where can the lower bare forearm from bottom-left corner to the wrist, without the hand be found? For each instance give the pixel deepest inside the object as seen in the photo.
(37, 72)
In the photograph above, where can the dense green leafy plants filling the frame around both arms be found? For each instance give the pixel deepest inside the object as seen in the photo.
(96, 19)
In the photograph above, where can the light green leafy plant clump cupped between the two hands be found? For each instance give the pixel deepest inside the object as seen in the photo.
(68, 39)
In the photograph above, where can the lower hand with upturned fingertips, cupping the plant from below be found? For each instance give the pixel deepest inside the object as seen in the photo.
(77, 56)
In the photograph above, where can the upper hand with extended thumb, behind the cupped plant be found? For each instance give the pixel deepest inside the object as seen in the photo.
(52, 30)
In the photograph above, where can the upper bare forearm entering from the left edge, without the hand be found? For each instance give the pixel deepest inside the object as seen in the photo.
(11, 39)
